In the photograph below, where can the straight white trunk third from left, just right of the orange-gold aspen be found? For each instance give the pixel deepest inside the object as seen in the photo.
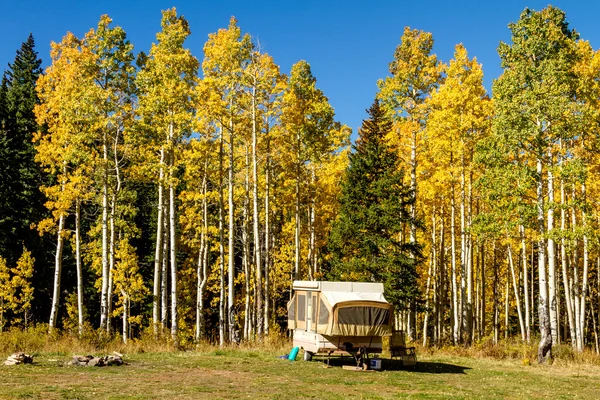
(105, 266)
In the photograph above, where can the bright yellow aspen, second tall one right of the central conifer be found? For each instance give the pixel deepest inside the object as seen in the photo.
(458, 119)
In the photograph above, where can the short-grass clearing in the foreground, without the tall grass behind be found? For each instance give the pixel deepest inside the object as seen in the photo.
(235, 374)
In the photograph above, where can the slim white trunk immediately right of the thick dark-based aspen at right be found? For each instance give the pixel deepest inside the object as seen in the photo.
(552, 258)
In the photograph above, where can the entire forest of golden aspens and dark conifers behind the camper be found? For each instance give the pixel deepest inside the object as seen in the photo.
(159, 192)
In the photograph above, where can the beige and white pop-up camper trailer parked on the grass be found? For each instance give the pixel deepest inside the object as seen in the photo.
(339, 316)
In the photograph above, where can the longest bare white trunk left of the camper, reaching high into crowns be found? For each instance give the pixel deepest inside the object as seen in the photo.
(256, 222)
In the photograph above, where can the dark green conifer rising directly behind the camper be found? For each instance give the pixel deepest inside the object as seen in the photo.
(375, 206)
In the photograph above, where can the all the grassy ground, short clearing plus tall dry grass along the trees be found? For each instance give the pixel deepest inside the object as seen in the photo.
(255, 371)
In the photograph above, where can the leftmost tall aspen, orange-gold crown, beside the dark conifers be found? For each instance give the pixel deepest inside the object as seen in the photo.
(68, 100)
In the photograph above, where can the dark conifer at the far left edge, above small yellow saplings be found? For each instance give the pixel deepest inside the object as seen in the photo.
(22, 202)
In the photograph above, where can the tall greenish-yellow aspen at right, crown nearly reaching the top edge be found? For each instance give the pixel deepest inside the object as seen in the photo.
(532, 96)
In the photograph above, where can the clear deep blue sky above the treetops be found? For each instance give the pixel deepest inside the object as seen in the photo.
(348, 43)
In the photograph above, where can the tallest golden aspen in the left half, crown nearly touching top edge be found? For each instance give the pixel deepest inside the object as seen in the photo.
(166, 85)
